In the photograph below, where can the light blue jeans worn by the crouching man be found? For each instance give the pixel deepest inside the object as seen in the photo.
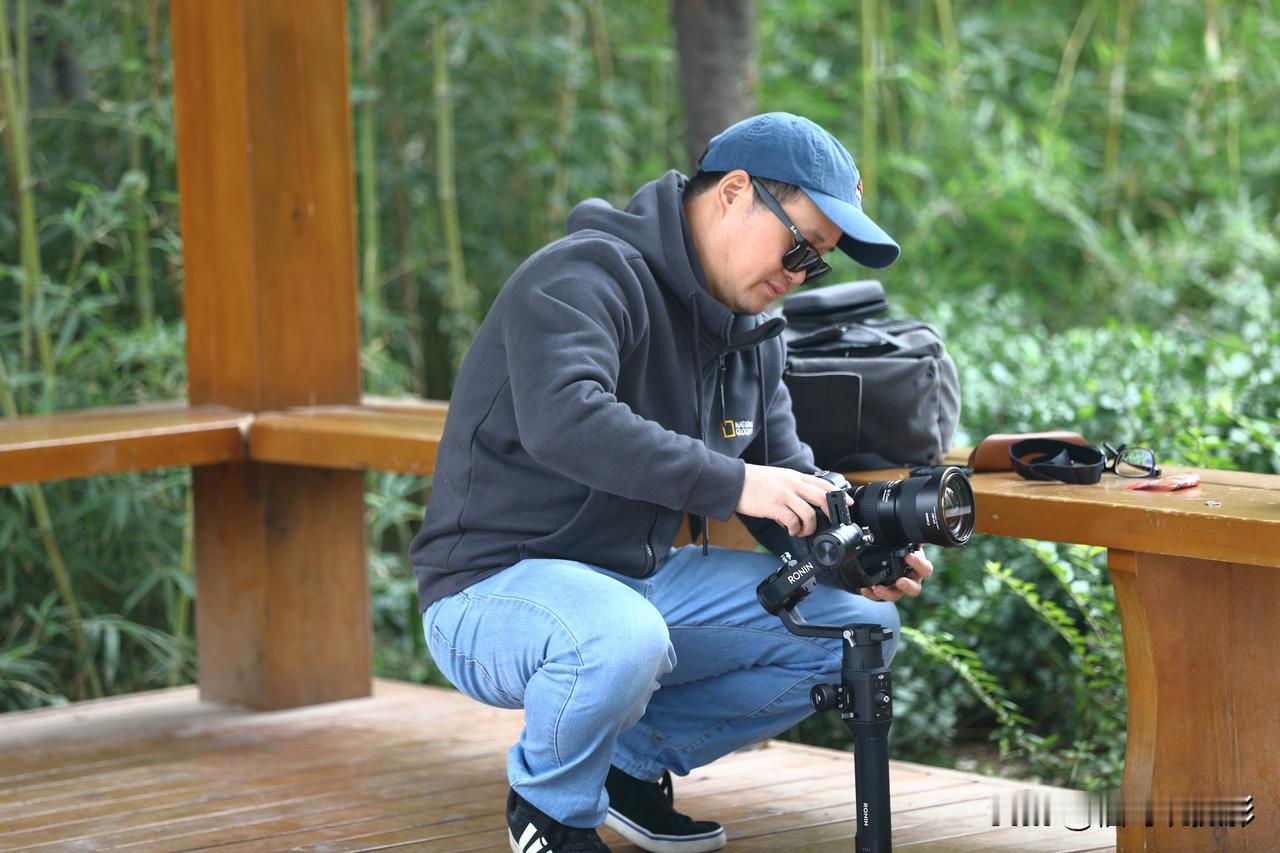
(664, 673)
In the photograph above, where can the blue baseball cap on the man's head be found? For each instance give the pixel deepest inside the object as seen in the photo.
(794, 150)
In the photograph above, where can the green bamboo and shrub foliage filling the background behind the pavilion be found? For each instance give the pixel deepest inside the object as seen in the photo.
(1092, 221)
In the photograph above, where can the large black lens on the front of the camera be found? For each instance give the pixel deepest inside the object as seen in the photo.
(930, 509)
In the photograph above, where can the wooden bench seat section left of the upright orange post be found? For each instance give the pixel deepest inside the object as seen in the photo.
(112, 441)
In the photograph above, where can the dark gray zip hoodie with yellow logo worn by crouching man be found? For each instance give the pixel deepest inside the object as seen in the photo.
(606, 395)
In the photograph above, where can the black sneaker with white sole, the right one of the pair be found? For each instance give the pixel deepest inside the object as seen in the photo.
(644, 814)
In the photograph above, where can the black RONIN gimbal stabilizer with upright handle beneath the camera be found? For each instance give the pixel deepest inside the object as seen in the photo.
(863, 697)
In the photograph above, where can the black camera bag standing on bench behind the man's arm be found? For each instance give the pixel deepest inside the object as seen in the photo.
(867, 393)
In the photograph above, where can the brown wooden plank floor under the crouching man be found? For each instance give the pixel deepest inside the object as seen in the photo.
(415, 768)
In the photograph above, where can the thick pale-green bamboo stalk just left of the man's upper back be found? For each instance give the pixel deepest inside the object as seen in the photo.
(459, 299)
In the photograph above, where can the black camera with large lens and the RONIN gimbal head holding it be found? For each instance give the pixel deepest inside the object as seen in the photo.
(872, 530)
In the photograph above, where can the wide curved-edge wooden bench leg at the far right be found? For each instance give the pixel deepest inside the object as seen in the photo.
(1201, 640)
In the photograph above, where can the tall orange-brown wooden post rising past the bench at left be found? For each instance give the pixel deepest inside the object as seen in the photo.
(268, 223)
